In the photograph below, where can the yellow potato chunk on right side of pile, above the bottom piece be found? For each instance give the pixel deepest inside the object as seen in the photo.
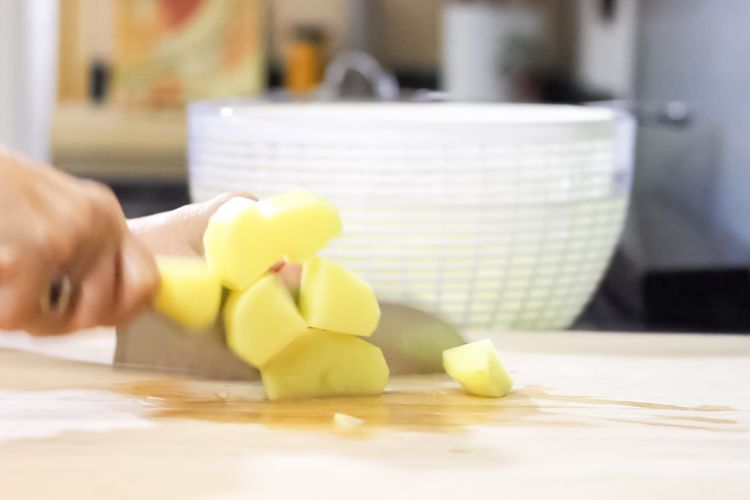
(334, 299)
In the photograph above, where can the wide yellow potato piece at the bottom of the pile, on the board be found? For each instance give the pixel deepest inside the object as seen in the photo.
(324, 364)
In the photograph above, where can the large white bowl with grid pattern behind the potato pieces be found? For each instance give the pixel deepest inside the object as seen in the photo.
(489, 215)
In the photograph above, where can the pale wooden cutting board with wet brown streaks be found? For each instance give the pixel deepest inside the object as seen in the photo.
(600, 416)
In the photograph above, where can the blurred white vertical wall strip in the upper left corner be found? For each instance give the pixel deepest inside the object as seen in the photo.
(28, 51)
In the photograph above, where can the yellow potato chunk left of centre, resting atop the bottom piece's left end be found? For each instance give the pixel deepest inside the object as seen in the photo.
(261, 321)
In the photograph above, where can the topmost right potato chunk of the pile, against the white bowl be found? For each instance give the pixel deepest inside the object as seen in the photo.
(305, 222)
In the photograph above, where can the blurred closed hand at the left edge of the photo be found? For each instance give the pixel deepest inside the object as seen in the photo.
(53, 225)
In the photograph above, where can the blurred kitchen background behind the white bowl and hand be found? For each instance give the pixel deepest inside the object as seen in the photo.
(99, 88)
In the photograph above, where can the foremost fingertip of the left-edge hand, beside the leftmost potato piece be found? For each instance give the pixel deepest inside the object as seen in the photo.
(138, 280)
